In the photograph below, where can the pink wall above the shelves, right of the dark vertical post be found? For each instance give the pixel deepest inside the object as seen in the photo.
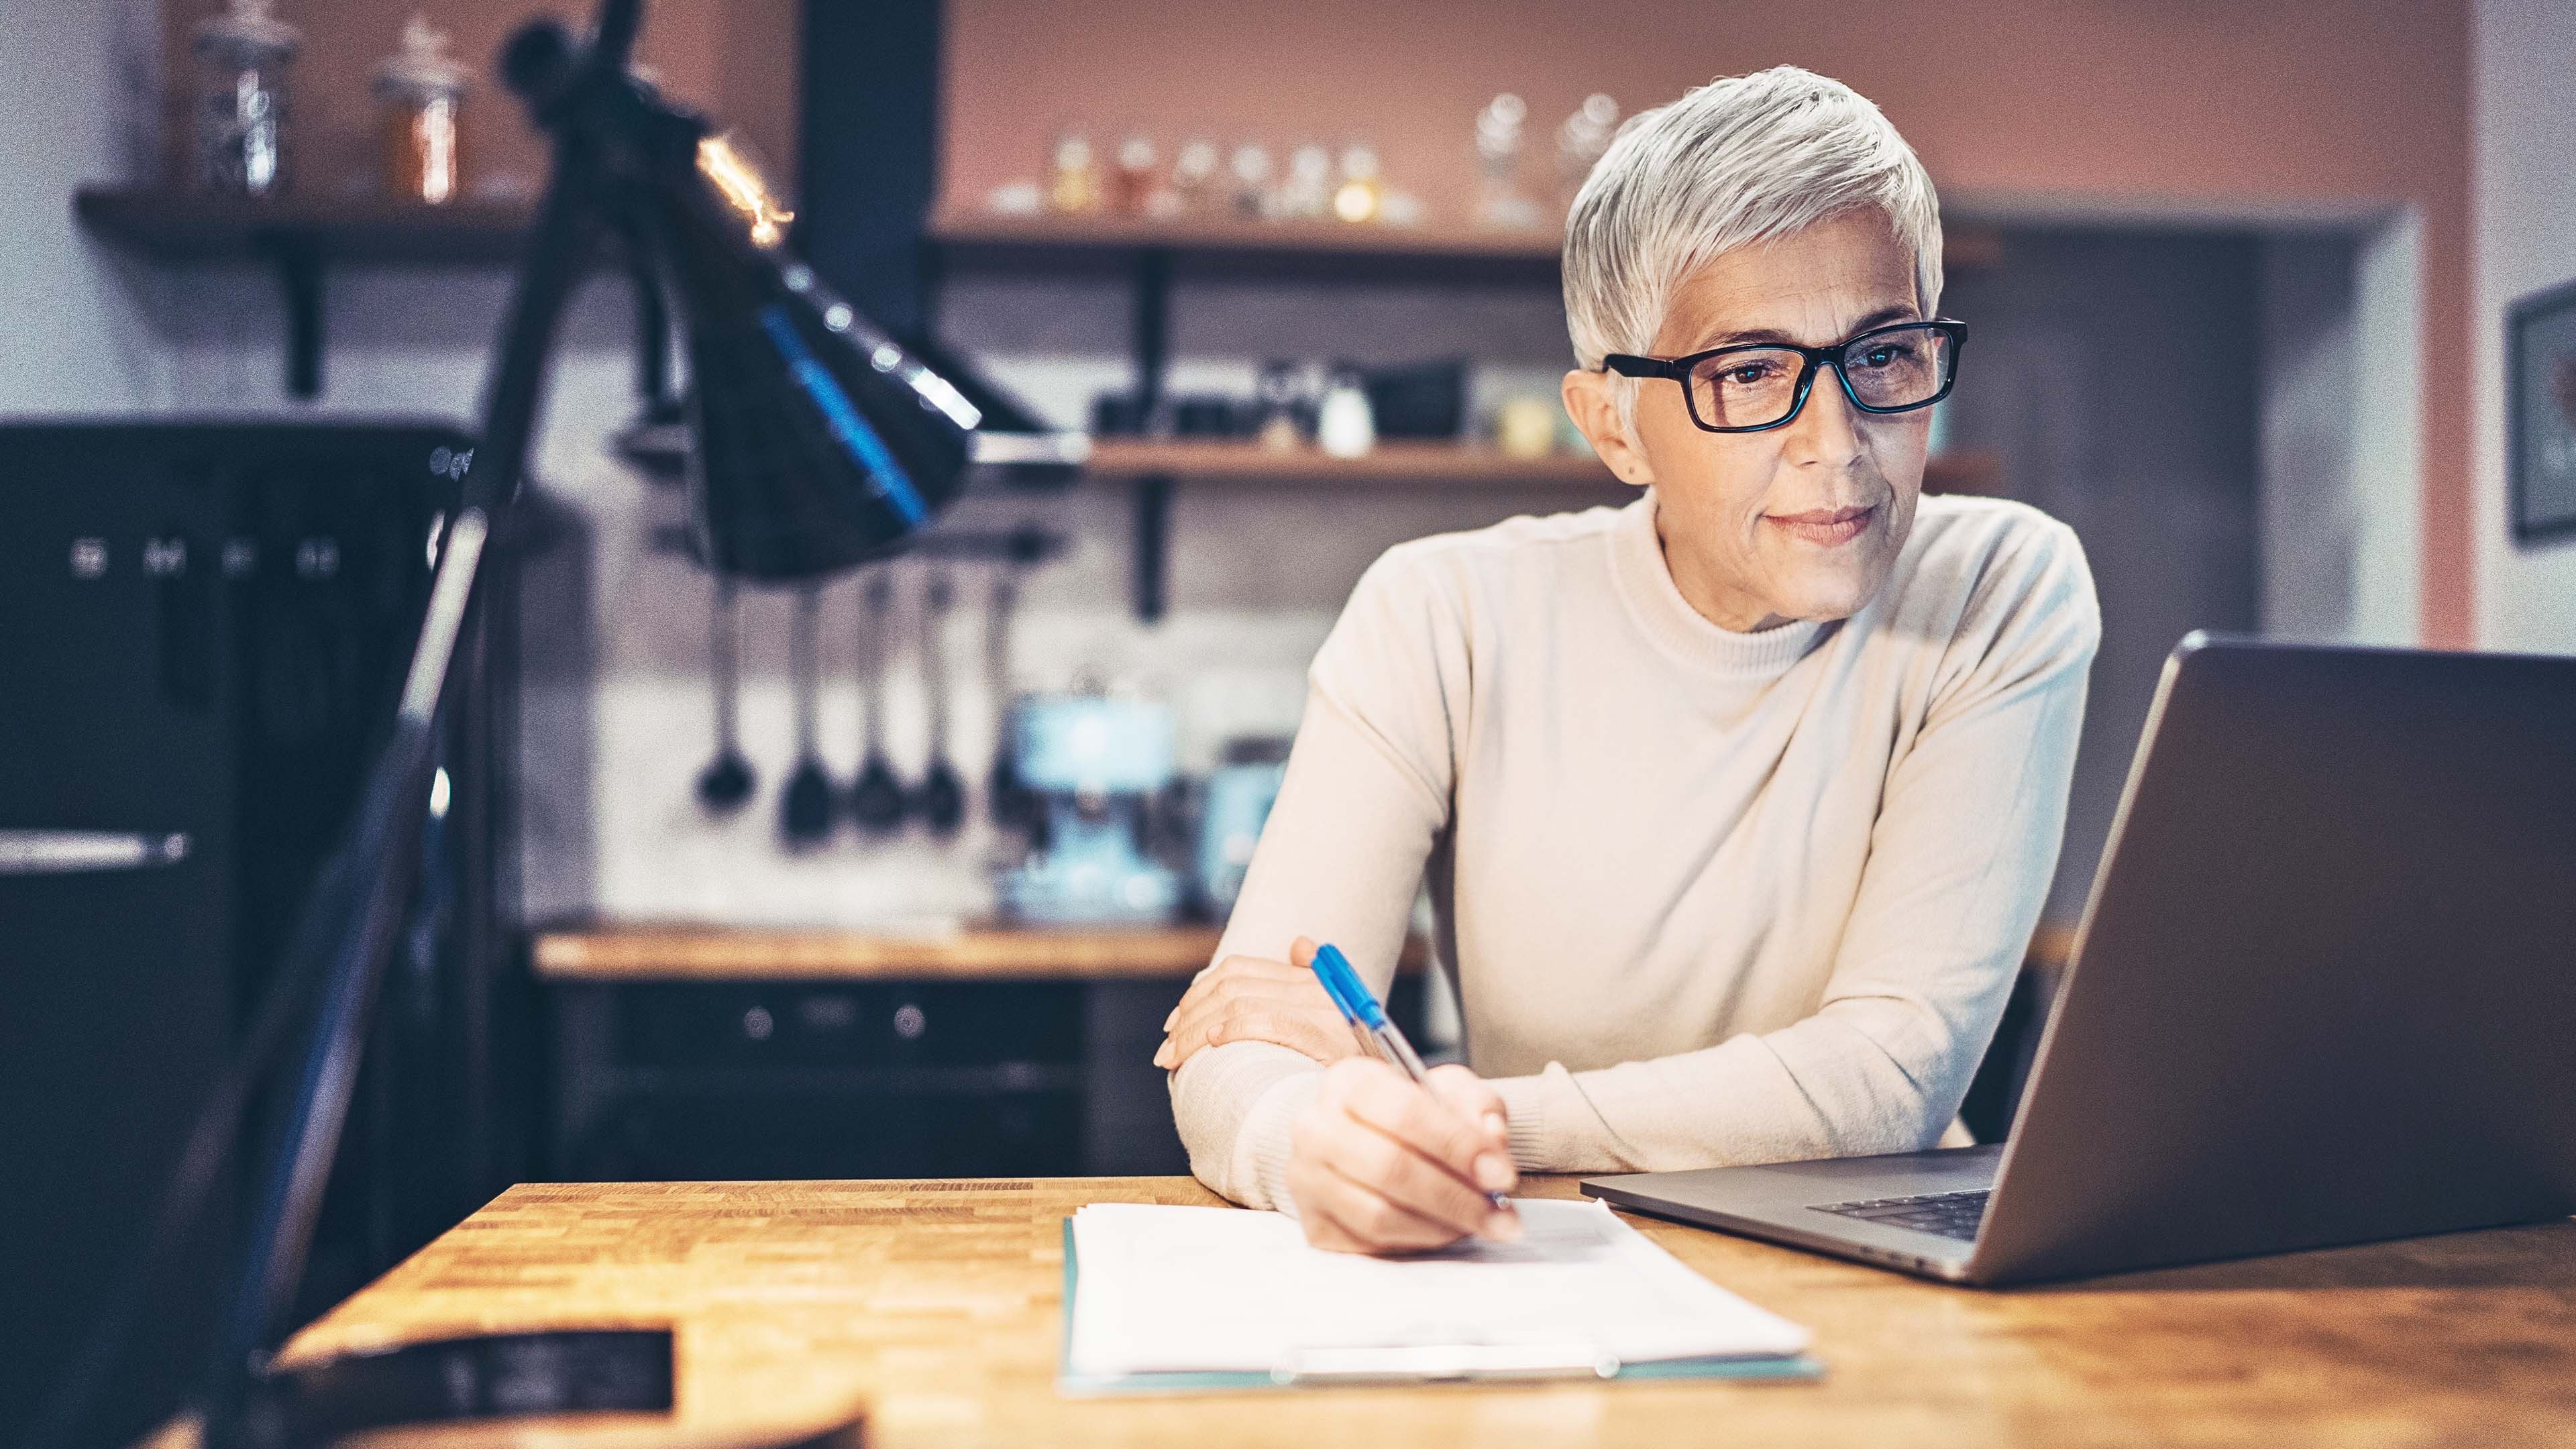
(2111, 102)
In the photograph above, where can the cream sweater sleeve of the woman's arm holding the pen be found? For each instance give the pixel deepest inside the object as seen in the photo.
(1341, 860)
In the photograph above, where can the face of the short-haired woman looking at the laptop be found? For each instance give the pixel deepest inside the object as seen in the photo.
(1799, 522)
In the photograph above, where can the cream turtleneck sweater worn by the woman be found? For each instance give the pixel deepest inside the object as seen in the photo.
(1709, 899)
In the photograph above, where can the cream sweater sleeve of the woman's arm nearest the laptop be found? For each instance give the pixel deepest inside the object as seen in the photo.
(1959, 870)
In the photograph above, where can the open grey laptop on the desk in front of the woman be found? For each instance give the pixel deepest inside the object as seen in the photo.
(2325, 991)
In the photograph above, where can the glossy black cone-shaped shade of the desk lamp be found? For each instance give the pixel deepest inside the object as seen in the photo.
(820, 442)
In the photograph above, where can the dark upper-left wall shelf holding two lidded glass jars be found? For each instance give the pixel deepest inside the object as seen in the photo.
(176, 226)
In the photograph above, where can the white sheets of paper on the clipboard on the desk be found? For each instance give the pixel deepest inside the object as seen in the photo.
(1217, 1290)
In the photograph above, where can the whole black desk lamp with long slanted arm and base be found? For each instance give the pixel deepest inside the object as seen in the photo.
(820, 445)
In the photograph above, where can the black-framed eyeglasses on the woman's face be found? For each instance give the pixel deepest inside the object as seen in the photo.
(1763, 385)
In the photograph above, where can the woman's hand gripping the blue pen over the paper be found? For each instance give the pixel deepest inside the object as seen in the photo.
(1382, 1164)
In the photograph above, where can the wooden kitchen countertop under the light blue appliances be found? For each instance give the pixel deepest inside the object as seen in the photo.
(978, 953)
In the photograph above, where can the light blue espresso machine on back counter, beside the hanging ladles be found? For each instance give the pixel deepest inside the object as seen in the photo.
(1096, 767)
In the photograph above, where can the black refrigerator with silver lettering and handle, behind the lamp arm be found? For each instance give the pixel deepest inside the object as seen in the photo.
(202, 630)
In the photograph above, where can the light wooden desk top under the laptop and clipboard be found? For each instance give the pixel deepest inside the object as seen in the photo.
(936, 1306)
